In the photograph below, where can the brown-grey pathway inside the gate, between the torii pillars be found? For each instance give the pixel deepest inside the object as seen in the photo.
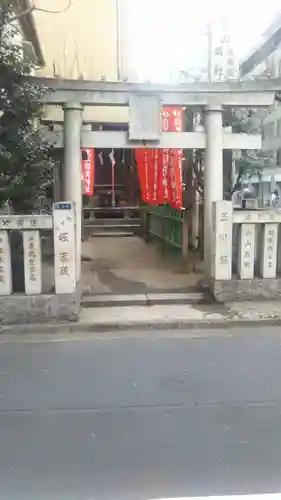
(130, 266)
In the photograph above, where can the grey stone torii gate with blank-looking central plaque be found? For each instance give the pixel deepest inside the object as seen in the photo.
(145, 102)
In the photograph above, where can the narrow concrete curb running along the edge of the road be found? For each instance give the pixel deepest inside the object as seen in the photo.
(83, 327)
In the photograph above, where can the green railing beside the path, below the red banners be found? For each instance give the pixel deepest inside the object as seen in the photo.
(167, 225)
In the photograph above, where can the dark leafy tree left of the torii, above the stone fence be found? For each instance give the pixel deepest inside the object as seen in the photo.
(25, 159)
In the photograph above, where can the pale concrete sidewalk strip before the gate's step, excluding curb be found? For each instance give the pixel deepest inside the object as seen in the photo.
(180, 315)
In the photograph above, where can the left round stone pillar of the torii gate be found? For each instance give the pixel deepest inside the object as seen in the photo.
(72, 172)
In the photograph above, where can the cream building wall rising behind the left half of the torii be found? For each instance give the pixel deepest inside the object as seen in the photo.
(82, 42)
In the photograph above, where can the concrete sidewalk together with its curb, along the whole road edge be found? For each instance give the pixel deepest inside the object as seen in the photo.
(159, 317)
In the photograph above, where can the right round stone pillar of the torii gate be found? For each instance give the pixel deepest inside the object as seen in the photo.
(213, 172)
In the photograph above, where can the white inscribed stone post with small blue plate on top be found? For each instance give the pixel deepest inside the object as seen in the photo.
(64, 245)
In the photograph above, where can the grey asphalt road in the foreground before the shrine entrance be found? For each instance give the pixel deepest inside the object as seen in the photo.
(140, 417)
